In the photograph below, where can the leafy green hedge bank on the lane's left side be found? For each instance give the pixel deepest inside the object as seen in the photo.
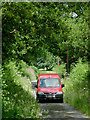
(17, 101)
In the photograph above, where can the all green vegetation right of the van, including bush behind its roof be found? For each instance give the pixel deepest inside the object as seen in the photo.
(76, 90)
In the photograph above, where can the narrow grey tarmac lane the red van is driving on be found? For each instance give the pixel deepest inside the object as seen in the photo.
(55, 110)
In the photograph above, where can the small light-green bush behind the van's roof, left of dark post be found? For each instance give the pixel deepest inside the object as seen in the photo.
(60, 70)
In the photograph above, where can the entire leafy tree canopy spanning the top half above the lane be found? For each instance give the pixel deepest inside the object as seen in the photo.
(30, 28)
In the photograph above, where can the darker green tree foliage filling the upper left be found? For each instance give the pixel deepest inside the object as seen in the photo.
(31, 28)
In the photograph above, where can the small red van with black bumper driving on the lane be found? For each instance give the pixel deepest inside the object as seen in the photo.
(49, 87)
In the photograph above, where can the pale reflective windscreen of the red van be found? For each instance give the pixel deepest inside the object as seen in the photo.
(49, 82)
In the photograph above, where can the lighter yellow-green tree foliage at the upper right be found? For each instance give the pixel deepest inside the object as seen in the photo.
(77, 40)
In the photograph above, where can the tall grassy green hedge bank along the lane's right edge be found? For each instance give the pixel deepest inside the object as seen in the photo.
(76, 87)
